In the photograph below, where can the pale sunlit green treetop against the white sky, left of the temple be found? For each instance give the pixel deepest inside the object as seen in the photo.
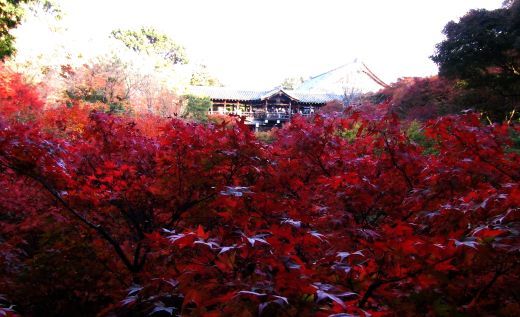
(149, 41)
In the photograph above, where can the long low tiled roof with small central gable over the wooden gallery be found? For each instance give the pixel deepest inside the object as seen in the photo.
(221, 93)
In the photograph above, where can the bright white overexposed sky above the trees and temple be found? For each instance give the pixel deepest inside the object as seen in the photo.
(256, 44)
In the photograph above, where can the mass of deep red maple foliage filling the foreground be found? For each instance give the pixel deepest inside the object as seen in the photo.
(103, 214)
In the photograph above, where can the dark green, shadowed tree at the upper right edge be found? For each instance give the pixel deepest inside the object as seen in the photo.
(482, 50)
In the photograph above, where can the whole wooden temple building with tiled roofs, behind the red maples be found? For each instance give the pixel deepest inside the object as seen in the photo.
(268, 108)
